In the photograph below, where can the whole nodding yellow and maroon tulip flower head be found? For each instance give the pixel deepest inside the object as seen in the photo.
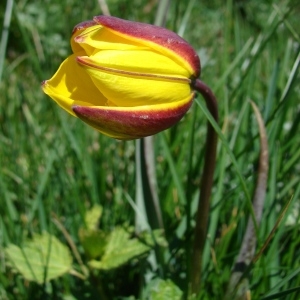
(126, 79)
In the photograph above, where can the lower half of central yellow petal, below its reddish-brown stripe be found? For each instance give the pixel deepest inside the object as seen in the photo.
(134, 89)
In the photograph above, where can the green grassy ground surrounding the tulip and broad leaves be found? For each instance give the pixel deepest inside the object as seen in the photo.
(54, 168)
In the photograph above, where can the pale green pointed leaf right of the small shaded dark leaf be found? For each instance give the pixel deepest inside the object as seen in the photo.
(119, 250)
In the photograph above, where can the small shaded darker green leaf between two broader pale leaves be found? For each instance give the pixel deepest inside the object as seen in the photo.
(93, 242)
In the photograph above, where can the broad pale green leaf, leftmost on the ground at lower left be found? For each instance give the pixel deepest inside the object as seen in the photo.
(41, 259)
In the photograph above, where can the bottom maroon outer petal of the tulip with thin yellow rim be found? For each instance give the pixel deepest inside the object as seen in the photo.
(132, 123)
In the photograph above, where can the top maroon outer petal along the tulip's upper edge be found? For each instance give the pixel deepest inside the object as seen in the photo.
(154, 34)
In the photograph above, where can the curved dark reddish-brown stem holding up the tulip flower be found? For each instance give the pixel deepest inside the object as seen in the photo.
(205, 187)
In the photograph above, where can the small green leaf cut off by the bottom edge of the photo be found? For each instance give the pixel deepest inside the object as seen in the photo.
(165, 289)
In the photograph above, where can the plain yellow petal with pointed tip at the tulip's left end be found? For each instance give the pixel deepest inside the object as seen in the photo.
(70, 86)
